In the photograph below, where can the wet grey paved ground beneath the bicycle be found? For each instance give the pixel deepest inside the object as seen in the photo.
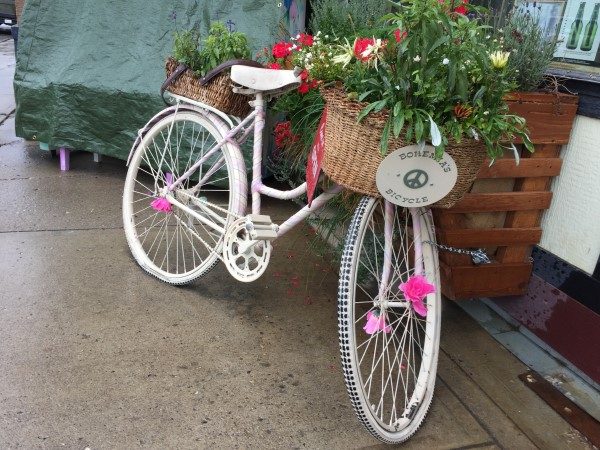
(94, 353)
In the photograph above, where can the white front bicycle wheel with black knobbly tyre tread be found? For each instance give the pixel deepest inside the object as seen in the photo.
(389, 368)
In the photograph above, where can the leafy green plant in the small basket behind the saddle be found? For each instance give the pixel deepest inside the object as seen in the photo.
(220, 45)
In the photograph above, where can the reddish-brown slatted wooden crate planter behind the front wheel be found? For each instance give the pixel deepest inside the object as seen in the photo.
(509, 225)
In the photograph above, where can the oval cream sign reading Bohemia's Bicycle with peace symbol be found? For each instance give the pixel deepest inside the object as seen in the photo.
(411, 176)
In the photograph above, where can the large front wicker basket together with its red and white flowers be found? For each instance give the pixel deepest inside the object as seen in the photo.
(430, 72)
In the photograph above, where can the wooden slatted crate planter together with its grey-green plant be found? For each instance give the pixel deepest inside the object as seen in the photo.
(506, 202)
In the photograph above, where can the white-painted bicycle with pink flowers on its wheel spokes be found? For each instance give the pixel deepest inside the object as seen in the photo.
(184, 209)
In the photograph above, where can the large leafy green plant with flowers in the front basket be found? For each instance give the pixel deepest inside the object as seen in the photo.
(440, 74)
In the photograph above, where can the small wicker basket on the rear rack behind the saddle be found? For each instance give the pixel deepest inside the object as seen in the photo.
(217, 93)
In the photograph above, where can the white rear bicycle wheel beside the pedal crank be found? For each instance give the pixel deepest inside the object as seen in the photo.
(176, 234)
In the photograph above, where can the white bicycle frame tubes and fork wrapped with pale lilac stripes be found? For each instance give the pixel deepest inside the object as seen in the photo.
(256, 121)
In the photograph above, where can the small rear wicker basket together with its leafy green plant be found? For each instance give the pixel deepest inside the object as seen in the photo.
(193, 59)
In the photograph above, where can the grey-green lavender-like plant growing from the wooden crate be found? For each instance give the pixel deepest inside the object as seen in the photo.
(531, 50)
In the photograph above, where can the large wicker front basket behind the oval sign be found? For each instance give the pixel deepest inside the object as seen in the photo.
(352, 156)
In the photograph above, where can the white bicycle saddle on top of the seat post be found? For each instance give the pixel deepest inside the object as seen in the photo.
(264, 80)
